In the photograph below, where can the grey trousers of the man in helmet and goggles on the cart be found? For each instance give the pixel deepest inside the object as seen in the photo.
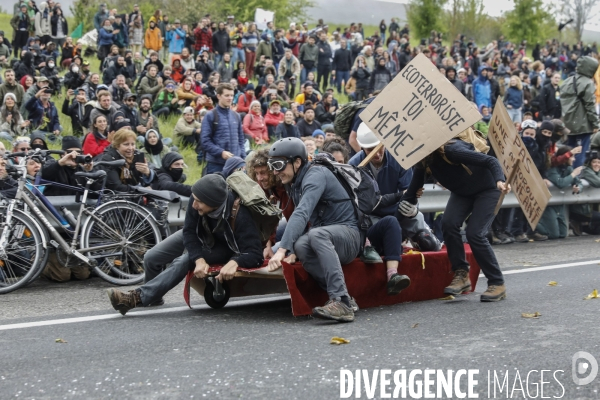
(322, 252)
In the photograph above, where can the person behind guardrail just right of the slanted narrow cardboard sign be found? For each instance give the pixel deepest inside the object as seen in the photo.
(562, 175)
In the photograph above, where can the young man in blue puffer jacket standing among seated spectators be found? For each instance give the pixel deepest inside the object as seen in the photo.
(222, 136)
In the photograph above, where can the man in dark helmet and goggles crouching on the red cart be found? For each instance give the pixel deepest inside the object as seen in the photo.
(333, 238)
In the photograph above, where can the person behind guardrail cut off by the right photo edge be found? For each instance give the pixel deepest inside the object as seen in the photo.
(583, 217)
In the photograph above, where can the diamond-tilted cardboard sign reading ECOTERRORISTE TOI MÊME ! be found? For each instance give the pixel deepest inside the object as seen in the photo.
(417, 112)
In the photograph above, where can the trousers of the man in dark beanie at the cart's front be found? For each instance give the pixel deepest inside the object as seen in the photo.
(156, 281)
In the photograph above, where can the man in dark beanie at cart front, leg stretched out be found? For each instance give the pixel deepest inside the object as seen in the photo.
(211, 235)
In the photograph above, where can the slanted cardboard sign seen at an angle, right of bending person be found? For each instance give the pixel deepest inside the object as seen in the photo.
(527, 183)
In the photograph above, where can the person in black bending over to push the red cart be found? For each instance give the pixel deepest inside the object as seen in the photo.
(474, 193)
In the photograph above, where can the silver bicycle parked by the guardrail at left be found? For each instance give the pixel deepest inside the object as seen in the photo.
(111, 237)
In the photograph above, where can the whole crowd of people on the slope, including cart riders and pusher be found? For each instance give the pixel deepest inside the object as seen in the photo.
(265, 102)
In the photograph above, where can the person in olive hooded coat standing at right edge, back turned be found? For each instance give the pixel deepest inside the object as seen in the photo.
(578, 105)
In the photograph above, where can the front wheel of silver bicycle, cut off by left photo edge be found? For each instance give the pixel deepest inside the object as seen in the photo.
(23, 257)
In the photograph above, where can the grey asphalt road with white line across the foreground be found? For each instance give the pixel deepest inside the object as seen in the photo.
(255, 348)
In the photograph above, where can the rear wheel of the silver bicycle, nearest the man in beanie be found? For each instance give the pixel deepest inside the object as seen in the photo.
(129, 231)
